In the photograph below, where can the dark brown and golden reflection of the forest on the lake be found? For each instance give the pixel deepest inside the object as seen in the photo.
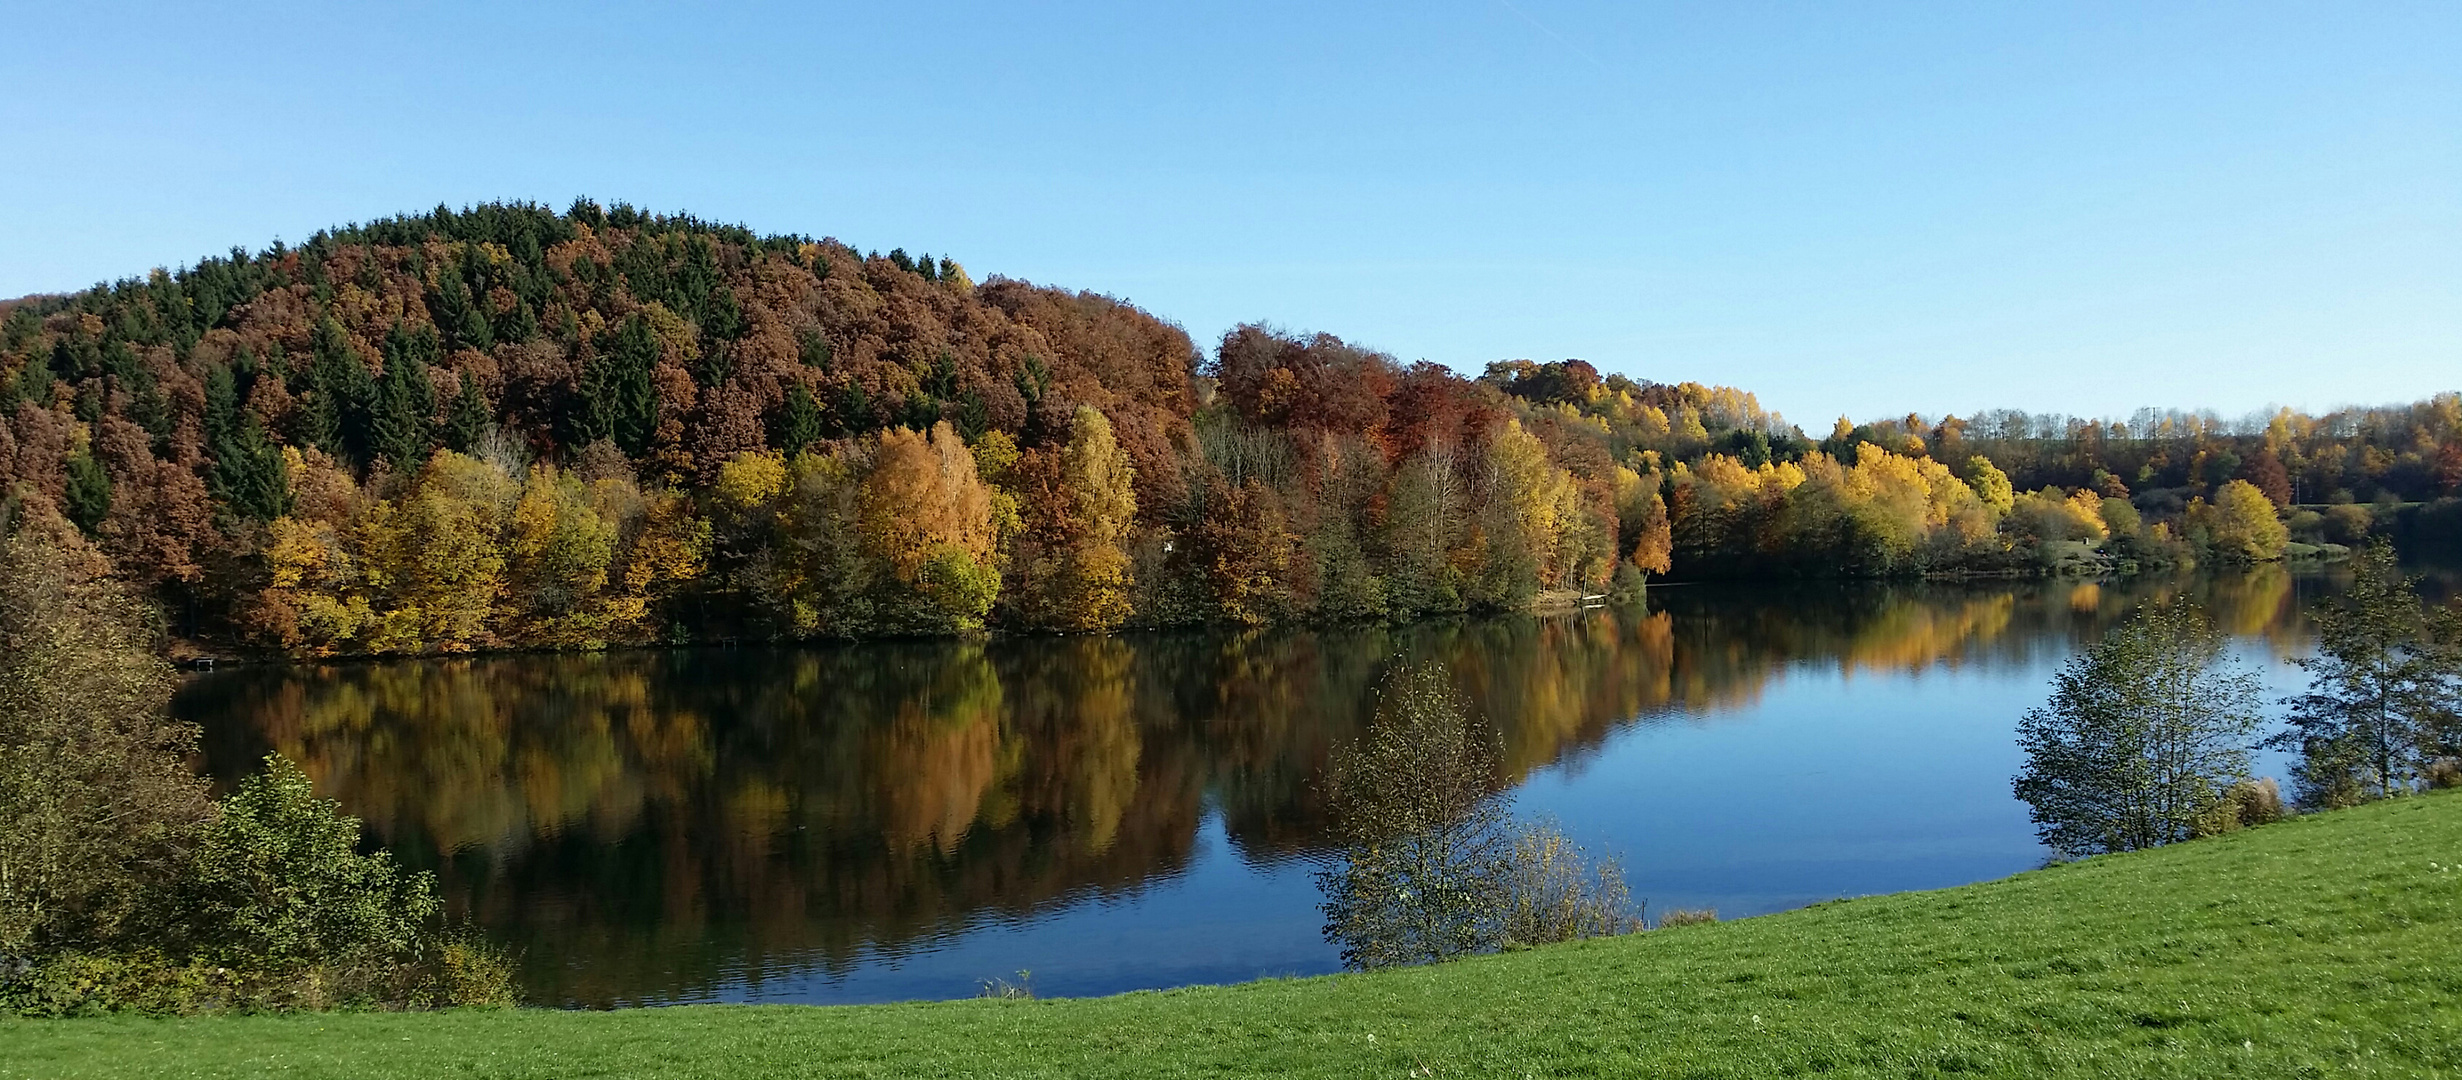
(654, 825)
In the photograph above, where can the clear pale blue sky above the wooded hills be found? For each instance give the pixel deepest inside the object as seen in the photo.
(1843, 208)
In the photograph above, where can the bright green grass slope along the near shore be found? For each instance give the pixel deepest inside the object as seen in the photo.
(2323, 946)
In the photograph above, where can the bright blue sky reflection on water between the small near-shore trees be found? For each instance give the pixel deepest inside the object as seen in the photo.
(1826, 786)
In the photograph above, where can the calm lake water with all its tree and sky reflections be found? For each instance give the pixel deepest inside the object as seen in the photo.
(905, 820)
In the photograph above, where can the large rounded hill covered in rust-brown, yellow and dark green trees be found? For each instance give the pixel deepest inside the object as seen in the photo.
(516, 427)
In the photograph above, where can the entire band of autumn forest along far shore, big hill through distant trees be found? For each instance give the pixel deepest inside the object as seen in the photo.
(508, 427)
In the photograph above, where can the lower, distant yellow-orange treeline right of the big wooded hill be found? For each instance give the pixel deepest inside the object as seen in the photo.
(2005, 493)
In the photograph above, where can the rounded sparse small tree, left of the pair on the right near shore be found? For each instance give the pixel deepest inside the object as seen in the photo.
(2141, 739)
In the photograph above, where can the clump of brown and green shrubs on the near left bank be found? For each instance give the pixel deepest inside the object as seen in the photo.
(127, 889)
